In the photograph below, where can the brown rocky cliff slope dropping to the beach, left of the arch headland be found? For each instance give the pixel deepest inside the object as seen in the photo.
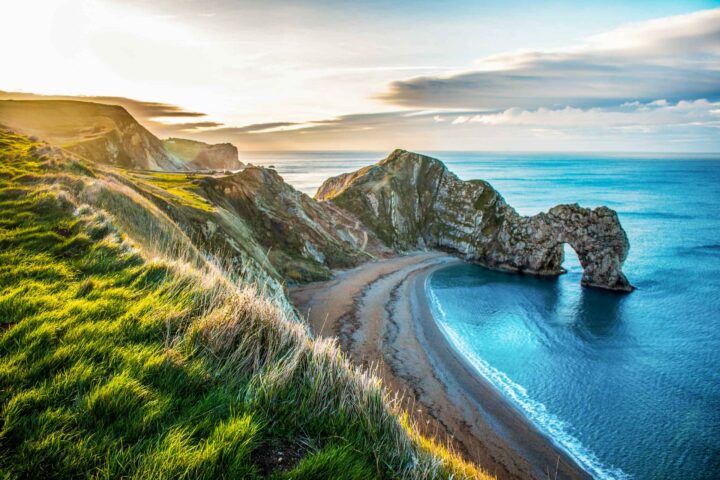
(303, 239)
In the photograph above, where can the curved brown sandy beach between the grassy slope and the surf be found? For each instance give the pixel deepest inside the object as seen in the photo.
(379, 313)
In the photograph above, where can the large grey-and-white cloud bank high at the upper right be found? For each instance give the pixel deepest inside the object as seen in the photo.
(674, 58)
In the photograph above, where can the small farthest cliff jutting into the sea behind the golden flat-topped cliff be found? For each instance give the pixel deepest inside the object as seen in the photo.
(203, 156)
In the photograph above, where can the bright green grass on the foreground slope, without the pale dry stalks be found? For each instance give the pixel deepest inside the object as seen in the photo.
(89, 383)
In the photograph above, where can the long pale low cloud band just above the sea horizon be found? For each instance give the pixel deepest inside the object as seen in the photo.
(656, 125)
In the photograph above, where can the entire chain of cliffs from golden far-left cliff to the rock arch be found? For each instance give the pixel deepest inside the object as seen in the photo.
(403, 203)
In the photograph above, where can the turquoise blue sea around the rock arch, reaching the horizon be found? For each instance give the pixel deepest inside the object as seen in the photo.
(627, 384)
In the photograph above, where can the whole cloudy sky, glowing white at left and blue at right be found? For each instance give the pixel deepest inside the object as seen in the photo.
(371, 75)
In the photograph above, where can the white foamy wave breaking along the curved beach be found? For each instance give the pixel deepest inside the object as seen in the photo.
(549, 424)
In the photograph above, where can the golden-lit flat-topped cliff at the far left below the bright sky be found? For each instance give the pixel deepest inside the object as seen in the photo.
(101, 133)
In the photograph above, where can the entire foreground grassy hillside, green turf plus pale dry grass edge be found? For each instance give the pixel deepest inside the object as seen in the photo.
(126, 353)
